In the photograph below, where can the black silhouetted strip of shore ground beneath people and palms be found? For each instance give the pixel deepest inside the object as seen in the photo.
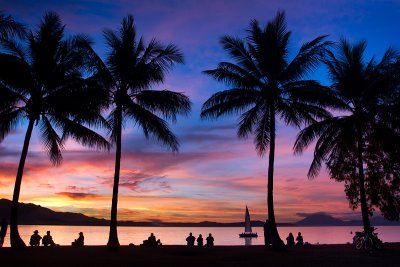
(314, 255)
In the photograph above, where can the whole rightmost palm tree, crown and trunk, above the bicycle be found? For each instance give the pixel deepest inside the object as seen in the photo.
(343, 140)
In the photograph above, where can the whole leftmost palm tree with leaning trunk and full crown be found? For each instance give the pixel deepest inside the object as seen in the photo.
(42, 83)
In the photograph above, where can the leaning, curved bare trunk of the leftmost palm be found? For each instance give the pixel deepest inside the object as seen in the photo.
(15, 239)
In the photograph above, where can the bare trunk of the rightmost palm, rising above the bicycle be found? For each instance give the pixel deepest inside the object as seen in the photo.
(363, 199)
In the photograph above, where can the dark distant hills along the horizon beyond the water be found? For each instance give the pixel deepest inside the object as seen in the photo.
(31, 214)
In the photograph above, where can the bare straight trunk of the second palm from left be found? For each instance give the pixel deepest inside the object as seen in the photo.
(113, 242)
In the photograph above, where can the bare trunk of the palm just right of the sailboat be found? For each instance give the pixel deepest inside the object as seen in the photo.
(276, 241)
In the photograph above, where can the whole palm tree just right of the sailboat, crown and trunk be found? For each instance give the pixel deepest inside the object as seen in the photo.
(267, 86)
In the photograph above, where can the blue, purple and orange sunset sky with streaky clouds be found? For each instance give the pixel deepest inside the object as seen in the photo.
(214, 175)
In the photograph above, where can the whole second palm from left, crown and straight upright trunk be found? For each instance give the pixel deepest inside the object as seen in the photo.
(131, 69)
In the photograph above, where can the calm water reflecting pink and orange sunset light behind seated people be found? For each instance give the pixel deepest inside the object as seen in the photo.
(98, 235)
